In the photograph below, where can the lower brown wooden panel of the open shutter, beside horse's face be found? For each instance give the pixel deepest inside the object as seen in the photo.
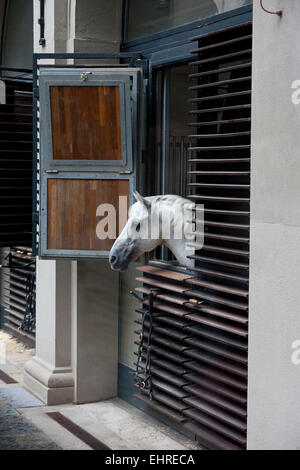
(72, 206)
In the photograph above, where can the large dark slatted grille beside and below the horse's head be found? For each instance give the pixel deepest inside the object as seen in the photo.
(198, 337)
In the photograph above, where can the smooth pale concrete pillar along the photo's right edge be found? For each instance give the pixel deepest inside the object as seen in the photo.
(274, 320)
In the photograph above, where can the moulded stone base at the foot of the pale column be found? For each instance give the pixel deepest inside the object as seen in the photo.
(51, 386)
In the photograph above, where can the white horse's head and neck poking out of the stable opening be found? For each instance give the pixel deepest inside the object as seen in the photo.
(153, 221)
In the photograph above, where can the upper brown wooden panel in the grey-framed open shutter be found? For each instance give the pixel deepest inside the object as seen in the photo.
(86, 122)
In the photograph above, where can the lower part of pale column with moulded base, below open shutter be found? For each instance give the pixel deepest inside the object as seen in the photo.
(49, 374)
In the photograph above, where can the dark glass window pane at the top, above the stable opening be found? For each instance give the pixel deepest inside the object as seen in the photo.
(147, 17)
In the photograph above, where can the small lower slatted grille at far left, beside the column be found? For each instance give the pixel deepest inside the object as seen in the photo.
(19, 293)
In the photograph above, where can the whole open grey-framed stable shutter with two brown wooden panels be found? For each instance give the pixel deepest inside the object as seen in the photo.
(88, 130)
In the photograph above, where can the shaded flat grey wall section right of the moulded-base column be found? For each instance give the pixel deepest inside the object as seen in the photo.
(94, 330)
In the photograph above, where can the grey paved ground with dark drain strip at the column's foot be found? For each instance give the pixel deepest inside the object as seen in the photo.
(27, 424)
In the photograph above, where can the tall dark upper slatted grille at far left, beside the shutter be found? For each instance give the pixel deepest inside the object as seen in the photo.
(16, 158)
